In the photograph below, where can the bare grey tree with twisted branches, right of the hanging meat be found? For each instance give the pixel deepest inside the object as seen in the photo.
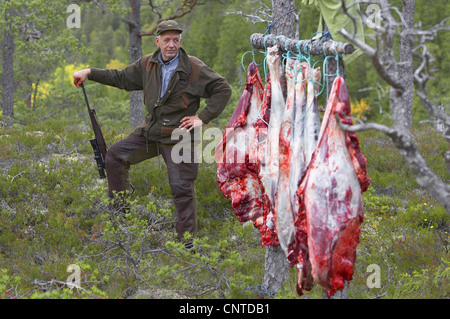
(401, 75)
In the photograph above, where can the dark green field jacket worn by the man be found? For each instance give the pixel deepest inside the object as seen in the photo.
(191, 80)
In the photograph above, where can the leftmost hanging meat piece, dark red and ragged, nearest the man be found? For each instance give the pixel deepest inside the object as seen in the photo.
(237, 156)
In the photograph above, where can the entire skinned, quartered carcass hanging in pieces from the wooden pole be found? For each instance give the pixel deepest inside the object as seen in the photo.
(298, 179)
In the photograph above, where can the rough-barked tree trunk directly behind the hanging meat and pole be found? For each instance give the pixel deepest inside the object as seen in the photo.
(276, 268)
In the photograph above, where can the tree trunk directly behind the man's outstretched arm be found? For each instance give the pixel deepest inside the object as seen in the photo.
(135, 53)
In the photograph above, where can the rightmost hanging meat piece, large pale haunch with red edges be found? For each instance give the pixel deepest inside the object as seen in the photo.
(330, 199)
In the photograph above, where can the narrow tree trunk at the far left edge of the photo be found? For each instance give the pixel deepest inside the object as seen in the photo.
(7, 81)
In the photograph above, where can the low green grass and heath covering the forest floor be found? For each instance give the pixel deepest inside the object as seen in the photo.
(54, 212)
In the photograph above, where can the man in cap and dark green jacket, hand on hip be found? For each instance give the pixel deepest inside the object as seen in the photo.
(173, 84)
